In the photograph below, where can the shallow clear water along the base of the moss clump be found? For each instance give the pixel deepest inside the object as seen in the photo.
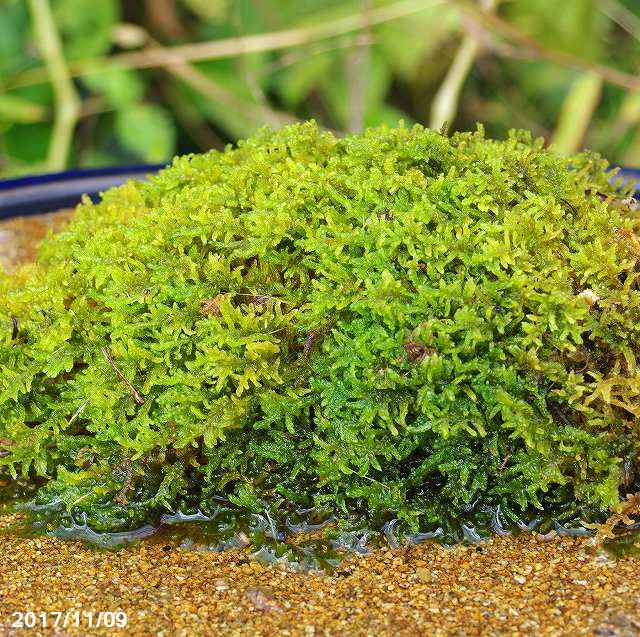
(303, 539)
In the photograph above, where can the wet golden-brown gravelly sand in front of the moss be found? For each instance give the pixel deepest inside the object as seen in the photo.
(506, 586)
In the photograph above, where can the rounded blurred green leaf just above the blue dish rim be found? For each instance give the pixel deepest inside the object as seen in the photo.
(147, 131)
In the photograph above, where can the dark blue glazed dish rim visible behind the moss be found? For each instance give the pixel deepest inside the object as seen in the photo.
(44, 193)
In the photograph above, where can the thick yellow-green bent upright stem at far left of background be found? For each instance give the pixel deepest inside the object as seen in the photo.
(67, 108)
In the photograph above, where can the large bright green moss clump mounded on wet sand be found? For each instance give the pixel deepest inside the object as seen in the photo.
(397, 323)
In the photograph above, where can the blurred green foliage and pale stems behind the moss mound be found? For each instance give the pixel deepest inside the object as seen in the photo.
(101, 82)
